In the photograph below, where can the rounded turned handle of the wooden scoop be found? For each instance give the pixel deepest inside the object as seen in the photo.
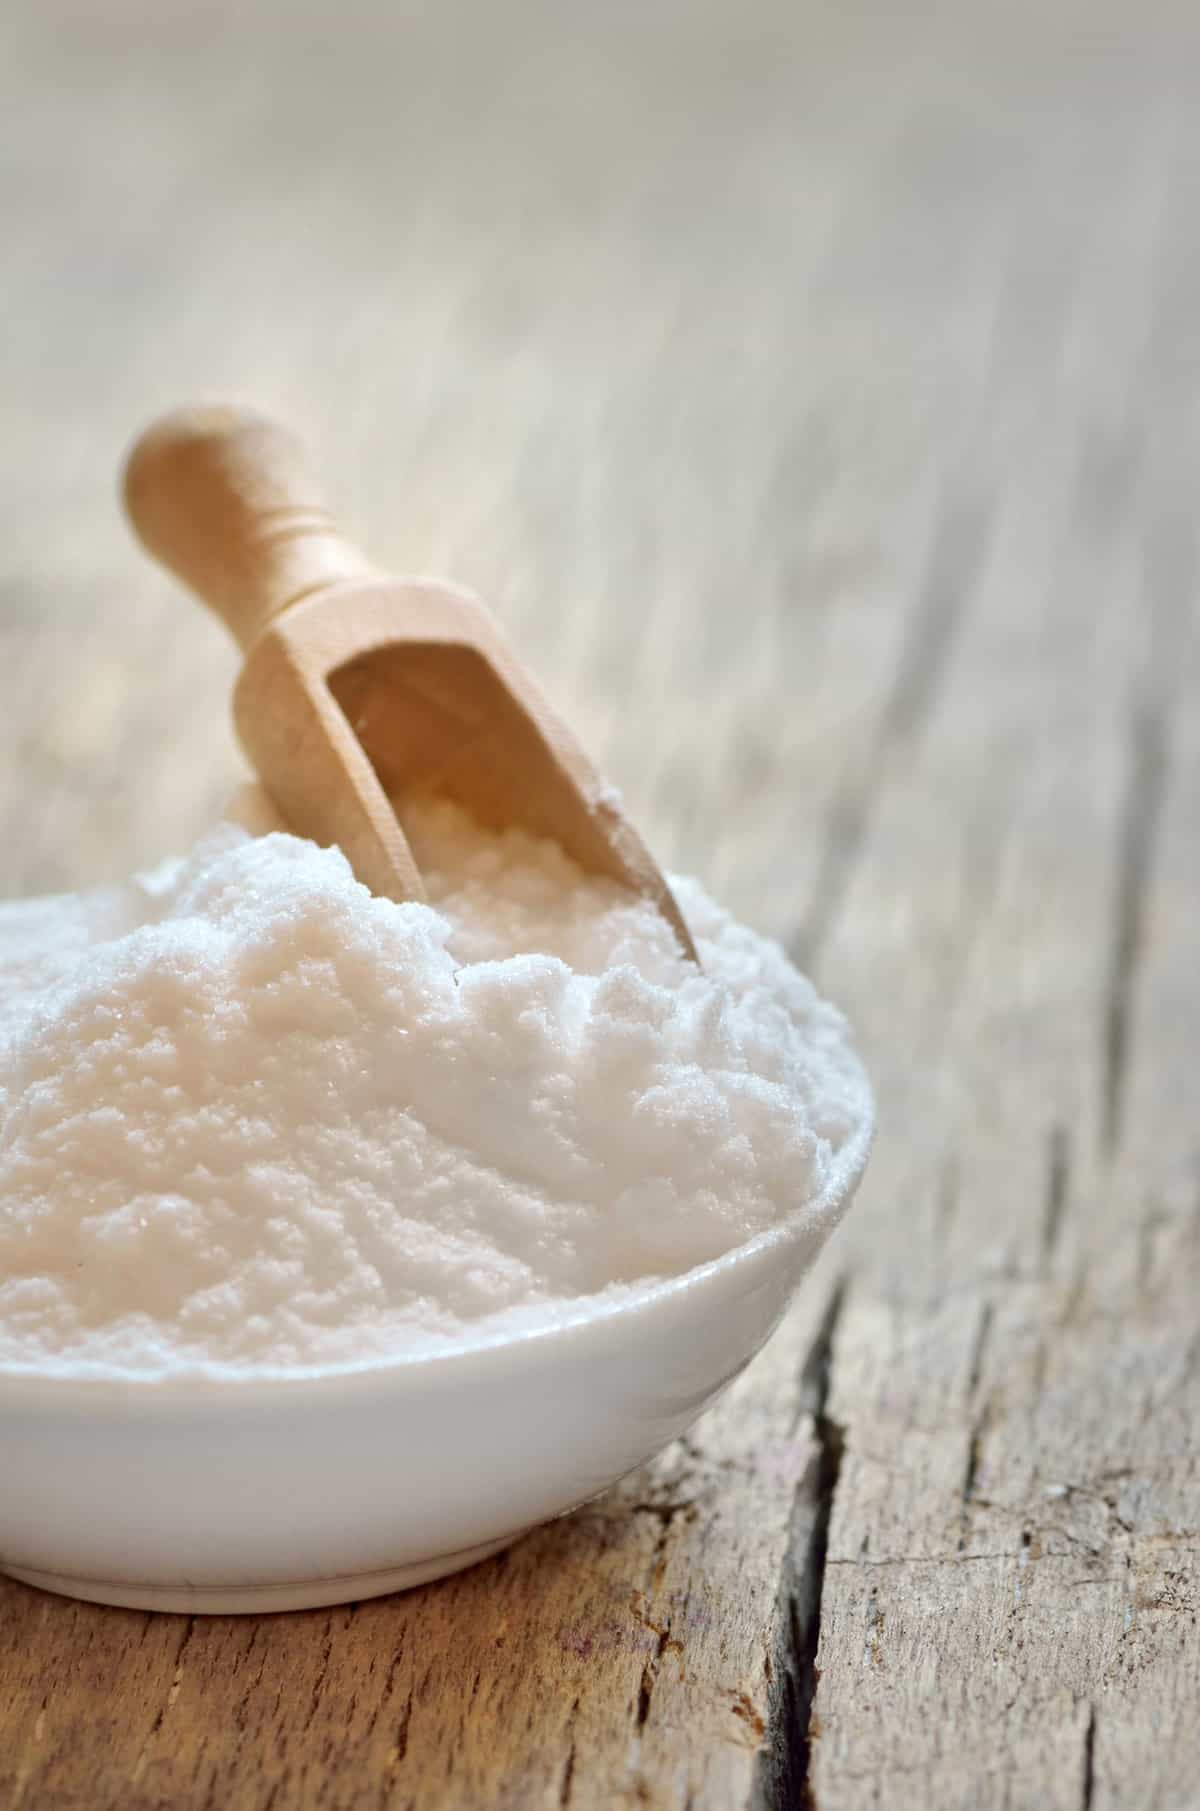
(224, 497)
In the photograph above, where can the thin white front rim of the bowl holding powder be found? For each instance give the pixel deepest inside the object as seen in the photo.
(28, 1386)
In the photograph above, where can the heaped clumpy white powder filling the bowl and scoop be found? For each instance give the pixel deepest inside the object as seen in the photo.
(252, 1116)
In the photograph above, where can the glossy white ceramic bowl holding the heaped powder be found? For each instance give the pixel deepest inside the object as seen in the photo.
(294, 1491)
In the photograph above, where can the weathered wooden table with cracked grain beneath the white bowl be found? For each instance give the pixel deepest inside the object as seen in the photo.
(815, 392)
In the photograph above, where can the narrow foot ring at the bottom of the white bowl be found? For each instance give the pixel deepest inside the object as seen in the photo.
(256, 1600)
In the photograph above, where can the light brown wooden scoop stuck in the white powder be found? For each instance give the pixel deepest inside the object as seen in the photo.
(359, 689)
